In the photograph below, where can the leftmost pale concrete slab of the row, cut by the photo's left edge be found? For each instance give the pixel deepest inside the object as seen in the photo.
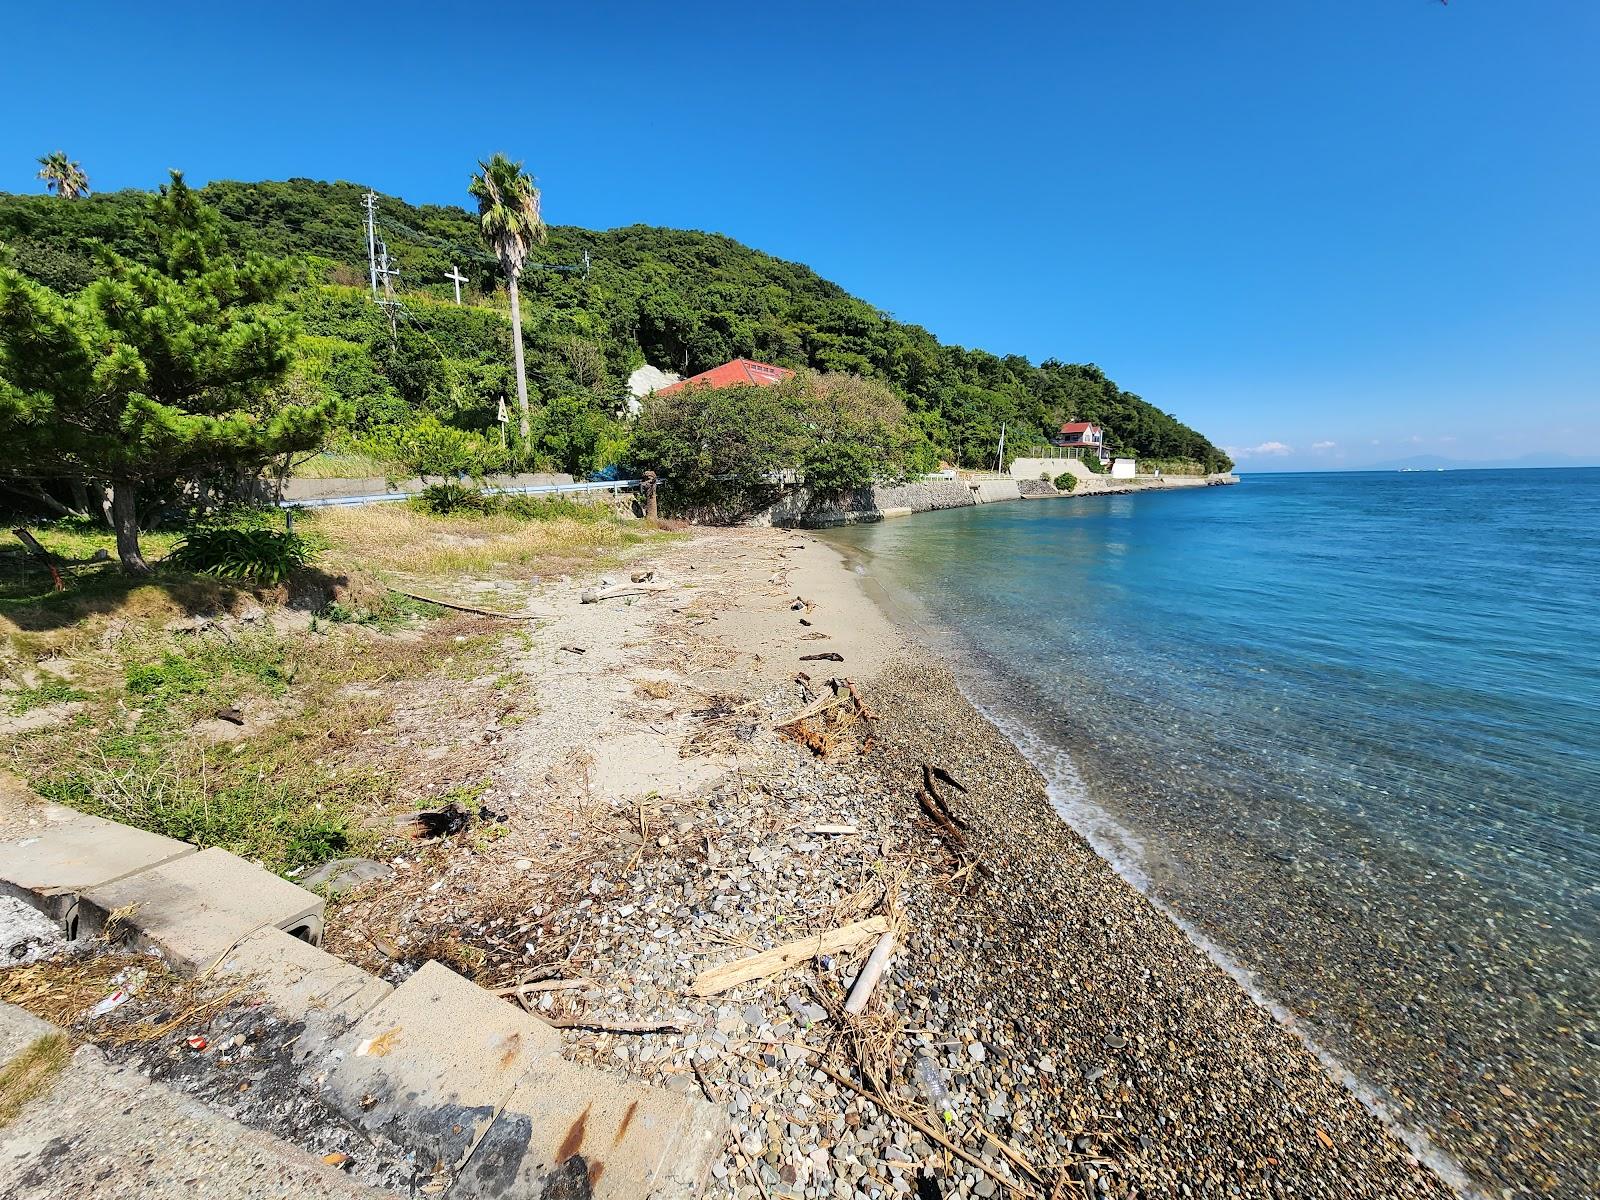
(57, 854)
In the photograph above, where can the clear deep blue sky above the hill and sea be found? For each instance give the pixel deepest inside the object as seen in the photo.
(1324, 233)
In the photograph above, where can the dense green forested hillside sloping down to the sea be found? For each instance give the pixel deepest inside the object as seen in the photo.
(678, 300)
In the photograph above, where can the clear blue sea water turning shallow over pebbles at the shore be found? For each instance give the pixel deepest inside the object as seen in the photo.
(1346, 727)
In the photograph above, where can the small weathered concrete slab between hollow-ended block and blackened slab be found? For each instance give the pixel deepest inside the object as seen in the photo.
(305, 985)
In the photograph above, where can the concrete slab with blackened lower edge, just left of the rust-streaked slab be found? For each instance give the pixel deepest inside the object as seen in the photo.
(433, 1065)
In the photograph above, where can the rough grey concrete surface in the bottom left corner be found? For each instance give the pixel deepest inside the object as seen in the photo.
(108, 1132)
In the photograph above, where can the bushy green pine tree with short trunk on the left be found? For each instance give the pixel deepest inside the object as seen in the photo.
(153, 374)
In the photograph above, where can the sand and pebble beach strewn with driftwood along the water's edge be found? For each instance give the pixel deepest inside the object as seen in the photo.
(660, 825)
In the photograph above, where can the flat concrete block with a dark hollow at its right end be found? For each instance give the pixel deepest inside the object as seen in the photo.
(199, 908)
